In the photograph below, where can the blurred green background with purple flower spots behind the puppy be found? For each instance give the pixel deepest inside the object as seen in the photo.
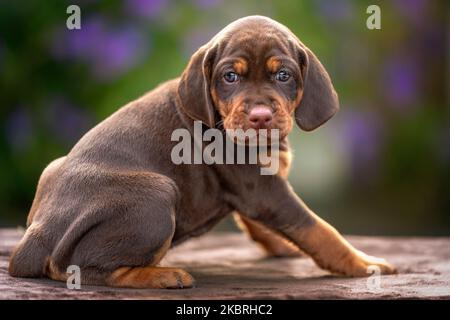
(381, 166)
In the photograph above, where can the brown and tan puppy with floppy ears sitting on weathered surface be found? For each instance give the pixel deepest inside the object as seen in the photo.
(116, 203)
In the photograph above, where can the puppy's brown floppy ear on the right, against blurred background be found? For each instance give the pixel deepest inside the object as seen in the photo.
(319, 101)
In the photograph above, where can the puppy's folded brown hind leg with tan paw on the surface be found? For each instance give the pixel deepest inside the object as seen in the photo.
(124, 246)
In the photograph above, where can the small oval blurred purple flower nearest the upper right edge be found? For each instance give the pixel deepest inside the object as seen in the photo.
(400, 81)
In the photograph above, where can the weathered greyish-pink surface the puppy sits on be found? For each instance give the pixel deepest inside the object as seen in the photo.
(229, 266)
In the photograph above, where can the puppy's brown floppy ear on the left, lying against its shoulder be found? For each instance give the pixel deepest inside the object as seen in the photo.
(194, 87)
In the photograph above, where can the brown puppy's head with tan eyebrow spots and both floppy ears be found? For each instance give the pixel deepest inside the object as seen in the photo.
(255, 73)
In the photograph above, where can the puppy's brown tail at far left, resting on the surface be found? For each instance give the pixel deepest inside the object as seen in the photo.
(29, 259)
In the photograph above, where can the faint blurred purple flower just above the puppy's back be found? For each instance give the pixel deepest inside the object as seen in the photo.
(67, 121)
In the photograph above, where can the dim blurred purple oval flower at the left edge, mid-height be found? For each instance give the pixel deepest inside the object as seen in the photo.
(18, 129)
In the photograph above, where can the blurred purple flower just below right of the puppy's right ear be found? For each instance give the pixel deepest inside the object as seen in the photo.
(363, 137)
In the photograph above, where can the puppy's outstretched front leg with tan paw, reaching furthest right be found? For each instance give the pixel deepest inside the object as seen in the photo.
(287, 214)
